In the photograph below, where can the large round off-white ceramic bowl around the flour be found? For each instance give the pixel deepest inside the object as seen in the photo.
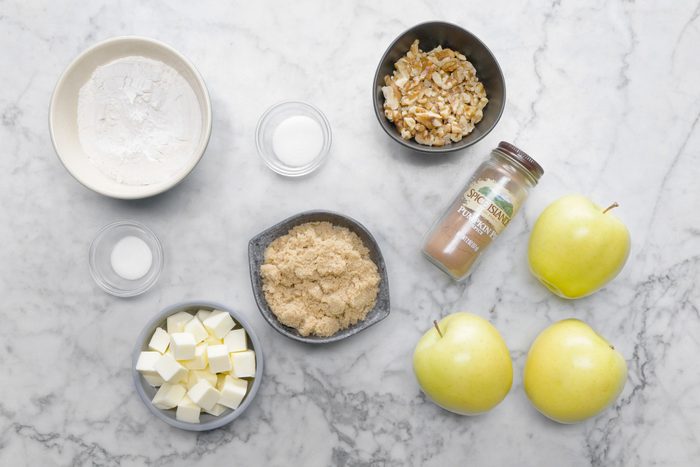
(63, 112)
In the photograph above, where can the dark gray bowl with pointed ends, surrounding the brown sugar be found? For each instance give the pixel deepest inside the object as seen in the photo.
(256, 256)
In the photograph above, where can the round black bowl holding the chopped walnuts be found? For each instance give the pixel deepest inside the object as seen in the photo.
(448, 35)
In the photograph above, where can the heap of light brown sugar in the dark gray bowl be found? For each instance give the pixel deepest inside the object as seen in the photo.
(319, 279)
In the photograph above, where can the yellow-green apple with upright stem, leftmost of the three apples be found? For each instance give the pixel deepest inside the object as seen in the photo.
(468, 370)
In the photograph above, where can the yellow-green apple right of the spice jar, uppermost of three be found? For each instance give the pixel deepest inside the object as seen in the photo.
(575, 248)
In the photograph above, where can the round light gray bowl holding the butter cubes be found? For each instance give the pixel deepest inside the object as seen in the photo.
(146, 391)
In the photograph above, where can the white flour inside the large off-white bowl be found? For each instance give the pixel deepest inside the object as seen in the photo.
(139, 121)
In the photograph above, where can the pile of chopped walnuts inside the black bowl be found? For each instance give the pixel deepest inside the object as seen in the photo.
(434, 97)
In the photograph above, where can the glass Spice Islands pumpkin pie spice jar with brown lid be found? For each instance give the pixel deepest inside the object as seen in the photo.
(490, 199)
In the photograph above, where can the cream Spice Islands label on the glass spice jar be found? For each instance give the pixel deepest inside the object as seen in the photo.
(489, 202)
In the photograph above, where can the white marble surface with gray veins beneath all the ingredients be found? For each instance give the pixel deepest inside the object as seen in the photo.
(606, 97)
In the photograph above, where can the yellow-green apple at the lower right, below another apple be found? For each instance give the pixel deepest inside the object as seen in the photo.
(571, 373)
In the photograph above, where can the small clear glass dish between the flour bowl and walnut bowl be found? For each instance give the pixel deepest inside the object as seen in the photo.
(266, 127)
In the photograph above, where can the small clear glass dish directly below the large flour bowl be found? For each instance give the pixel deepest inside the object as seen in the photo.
(101, 265)
